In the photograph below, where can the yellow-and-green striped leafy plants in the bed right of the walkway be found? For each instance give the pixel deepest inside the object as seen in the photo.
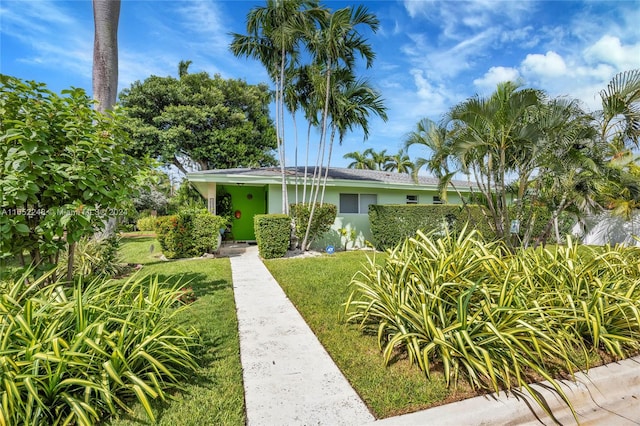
(499, 320)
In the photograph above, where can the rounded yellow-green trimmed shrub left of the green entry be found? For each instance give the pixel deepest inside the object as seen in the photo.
(189, 233)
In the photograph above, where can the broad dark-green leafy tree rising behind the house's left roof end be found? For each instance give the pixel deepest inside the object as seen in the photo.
(200, 122)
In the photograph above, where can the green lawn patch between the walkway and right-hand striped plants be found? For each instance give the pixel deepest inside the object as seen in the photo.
(318, 286)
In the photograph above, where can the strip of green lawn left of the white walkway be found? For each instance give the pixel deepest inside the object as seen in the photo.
(216, 394)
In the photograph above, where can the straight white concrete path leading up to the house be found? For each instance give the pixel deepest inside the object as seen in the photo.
(289, 378)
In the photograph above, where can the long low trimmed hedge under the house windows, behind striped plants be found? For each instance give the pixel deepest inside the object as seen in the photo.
(392, 224)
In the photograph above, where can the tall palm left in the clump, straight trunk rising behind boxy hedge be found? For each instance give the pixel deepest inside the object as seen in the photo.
(274, 34)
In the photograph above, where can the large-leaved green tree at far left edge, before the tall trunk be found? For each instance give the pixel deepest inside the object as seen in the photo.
(63, 170)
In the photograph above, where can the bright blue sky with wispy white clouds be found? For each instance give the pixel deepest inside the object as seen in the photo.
(431, 55)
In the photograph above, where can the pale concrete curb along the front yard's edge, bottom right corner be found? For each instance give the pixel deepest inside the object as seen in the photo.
(608, 395)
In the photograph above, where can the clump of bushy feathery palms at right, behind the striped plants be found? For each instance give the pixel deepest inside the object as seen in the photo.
(518, 146)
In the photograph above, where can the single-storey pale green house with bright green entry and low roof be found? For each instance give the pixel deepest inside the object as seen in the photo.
(259, 191)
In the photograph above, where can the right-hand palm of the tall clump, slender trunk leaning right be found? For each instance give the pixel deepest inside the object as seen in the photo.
(334, 45)
